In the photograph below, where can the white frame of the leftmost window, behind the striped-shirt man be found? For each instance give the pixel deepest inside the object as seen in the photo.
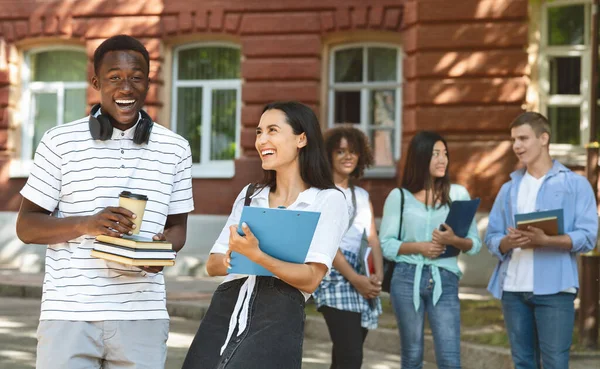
(20, 167)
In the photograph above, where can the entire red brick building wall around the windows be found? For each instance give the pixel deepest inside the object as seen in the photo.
(463, 69)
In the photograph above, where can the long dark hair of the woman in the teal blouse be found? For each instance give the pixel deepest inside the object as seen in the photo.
(417, 176)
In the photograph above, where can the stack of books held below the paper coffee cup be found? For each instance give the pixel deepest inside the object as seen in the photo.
(134, 250)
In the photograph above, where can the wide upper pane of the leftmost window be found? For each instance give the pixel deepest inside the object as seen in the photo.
(62, 65)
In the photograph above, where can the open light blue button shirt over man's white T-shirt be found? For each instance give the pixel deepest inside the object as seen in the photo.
(554, 270)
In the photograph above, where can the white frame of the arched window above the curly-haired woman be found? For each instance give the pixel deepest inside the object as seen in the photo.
(365, 88)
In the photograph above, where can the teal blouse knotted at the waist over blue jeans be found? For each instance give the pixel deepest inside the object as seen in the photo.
(418, 224)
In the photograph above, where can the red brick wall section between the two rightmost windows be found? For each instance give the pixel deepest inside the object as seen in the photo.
(464, 71)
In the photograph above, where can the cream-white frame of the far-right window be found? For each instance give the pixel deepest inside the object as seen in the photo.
(583, 100)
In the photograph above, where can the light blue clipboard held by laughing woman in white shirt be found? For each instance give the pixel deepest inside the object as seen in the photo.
(283, 234)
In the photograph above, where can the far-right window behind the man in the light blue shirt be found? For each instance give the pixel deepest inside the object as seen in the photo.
(565, 70)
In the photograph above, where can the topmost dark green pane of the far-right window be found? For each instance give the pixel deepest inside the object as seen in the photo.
(565, 25)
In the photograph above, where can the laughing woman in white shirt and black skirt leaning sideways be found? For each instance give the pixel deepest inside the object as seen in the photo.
(266, 328)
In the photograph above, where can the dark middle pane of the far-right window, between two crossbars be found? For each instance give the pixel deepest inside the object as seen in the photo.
(565, 75)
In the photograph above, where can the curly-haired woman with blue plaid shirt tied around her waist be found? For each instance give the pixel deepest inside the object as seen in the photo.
(347, 297)
